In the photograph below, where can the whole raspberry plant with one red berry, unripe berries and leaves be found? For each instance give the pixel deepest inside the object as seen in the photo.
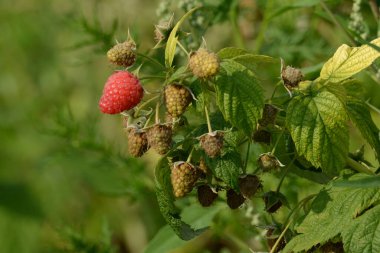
(211, 110)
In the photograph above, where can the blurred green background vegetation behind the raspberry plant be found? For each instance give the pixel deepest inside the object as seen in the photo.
(66, 181)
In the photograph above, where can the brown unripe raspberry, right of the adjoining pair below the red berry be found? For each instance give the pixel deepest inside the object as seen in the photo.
(160, 138)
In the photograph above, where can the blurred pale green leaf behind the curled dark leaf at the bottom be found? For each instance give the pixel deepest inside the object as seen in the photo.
(166, 240)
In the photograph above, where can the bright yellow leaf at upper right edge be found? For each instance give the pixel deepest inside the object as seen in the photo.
(348, 61)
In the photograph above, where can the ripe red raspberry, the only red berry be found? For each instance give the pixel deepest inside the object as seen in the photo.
(122, 91)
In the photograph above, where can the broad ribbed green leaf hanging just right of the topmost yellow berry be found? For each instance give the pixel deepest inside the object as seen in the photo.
(239, 95)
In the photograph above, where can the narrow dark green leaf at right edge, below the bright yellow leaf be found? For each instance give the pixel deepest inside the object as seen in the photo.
(360, 115)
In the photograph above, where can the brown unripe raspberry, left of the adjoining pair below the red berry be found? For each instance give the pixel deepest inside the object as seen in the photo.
(137, 142)
